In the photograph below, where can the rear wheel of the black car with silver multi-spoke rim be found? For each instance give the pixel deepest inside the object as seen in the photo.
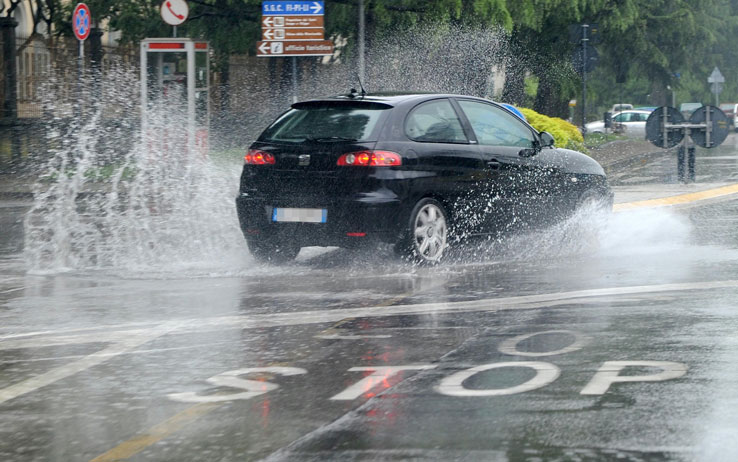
(426, 236)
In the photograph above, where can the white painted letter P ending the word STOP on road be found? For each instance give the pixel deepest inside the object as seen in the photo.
(610, 370)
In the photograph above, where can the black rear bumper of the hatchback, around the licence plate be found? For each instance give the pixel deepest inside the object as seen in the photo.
(349, 223)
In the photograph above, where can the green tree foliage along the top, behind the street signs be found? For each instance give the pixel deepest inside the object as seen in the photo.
(645, 43)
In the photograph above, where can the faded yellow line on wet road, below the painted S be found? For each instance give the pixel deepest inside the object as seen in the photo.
(138, 443)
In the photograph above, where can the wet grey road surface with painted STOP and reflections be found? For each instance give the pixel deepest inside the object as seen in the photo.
(619, 346)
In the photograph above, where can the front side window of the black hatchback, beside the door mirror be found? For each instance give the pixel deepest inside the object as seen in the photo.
(493, 126)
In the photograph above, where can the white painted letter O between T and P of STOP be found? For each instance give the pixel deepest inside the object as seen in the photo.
(453, 385)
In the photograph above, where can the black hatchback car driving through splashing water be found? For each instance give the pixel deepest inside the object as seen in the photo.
(415, 170)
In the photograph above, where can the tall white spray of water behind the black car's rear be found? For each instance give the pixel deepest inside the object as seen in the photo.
(113, 197)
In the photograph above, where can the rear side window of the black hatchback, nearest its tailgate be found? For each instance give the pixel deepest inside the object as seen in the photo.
(436, 122)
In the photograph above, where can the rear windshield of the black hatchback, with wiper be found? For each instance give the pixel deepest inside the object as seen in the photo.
(327, 121)
